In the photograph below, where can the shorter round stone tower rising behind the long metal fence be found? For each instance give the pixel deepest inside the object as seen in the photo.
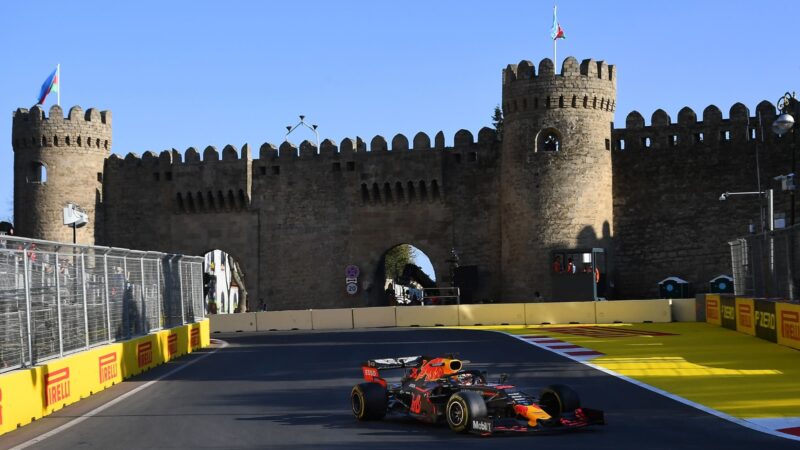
(59, 160)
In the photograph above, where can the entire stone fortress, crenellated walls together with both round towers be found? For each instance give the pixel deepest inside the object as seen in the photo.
(561, 177)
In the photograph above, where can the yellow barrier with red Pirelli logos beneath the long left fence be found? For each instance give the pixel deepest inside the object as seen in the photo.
(29, 394)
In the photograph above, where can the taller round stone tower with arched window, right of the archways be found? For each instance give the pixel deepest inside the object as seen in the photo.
(556, 174)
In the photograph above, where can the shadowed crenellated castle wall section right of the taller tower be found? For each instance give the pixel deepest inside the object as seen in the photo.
(669, 220)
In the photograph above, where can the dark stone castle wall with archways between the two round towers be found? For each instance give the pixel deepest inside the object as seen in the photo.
(296, 219)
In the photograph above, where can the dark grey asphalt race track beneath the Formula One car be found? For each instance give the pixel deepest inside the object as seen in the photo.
(290, 391)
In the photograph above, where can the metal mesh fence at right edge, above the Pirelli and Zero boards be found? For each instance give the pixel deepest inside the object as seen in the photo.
(763, 264)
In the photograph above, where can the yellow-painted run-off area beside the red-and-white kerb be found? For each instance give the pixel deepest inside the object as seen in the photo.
(735, 373)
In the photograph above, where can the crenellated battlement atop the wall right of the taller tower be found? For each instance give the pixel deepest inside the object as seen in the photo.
(688, 132)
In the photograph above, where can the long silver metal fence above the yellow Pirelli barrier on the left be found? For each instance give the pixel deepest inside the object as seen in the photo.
(58, 298)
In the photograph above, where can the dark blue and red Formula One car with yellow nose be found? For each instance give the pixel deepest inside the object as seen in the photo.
(438, 389)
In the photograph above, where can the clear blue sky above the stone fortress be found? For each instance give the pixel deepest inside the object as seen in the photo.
(180, 74)
